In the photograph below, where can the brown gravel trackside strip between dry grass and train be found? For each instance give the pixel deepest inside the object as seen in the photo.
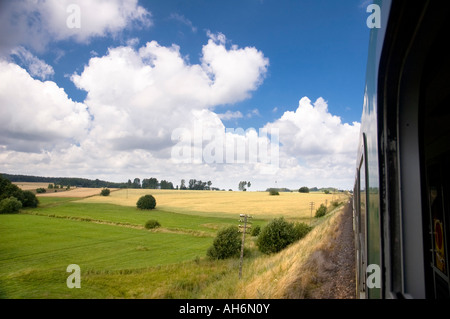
(336, 264)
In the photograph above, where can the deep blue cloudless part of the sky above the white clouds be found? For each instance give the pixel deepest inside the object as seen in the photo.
(315, 48)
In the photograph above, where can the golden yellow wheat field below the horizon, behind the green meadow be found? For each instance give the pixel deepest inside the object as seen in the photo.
(219, 203)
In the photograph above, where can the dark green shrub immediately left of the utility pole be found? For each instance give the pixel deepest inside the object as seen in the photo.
(227, 244)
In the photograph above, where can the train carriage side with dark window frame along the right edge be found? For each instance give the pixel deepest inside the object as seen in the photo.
(402, 184)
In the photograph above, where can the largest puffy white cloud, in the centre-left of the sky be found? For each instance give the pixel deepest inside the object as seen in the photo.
(138, 97)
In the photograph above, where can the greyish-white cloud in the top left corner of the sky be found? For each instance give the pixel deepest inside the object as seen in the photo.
(37, 23)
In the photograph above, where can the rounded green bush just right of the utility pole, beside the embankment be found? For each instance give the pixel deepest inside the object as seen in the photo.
(279, 234)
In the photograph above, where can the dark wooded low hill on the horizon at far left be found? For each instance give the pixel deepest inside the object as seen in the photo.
(66, 181)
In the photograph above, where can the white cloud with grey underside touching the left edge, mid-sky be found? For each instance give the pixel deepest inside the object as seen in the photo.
(37, 116)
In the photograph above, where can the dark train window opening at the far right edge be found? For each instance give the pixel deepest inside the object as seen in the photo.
(435, 114)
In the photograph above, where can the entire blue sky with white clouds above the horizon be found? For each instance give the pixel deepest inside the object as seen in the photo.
(241, 90)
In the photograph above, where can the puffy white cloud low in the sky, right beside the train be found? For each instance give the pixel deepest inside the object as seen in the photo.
(317, 144)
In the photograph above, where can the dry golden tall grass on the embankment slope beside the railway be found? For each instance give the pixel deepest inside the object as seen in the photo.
(286, 274)
